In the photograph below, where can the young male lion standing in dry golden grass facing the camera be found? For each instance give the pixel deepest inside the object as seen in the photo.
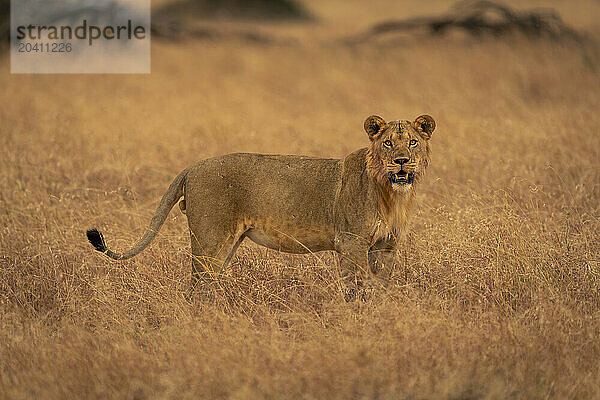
(357, 206)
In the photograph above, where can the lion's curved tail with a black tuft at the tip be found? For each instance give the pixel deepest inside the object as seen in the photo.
(166, 203)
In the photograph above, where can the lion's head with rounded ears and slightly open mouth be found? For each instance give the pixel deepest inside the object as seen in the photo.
(399, 151)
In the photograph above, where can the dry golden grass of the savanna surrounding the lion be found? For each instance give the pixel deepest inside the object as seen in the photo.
(498, 291)
